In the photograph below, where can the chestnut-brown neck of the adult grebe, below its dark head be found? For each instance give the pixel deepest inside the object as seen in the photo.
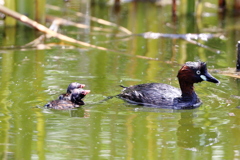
(188, 93)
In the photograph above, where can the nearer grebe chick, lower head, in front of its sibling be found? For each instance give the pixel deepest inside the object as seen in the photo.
(75, 100)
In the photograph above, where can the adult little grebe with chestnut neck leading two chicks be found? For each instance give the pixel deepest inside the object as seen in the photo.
(166, 96)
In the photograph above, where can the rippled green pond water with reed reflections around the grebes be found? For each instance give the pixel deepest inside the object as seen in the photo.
(114, 129)
